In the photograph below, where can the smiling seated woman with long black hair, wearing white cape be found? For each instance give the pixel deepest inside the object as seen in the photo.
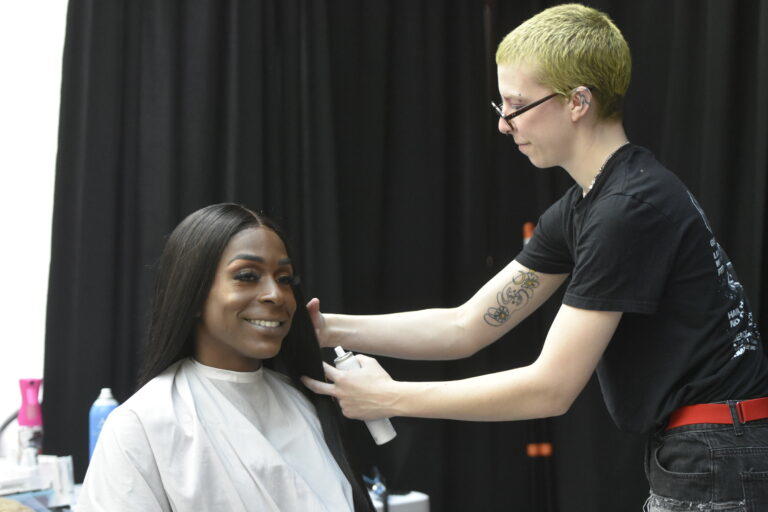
(212, 429)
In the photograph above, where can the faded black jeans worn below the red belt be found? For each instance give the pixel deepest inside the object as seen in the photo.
(709, 467)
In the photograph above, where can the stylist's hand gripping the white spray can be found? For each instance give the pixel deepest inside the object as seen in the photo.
(365, 393)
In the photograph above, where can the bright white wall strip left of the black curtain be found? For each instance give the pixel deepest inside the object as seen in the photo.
(31, 45)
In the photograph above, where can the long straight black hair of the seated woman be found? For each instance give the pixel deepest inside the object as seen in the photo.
(185, 273)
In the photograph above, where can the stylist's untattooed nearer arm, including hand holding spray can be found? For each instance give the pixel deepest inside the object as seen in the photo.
(548, 387)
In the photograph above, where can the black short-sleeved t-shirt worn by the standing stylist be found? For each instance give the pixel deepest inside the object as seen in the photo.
(640, 243)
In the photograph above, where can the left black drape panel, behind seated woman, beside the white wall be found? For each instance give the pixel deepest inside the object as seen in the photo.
(167, 107)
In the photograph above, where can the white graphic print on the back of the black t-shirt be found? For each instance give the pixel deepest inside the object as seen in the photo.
(742, 328)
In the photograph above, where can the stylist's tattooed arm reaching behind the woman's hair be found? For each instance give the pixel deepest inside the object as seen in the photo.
(453, 333)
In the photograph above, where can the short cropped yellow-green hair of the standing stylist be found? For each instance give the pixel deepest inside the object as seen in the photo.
(571, 45)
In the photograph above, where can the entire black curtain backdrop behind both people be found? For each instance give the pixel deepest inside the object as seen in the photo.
(364, 127)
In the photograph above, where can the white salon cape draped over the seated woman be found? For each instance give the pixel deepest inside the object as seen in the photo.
(197, 438)
